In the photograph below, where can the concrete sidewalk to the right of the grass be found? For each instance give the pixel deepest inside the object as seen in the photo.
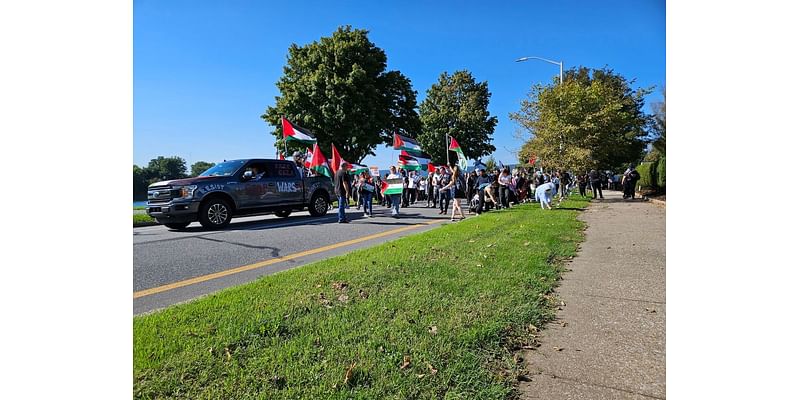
(608, 341)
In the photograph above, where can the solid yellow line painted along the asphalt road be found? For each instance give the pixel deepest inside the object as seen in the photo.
(271, 261)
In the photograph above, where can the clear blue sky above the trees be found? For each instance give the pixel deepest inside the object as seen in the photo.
(205, 71)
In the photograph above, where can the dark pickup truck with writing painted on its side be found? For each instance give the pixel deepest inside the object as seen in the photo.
(236, 188)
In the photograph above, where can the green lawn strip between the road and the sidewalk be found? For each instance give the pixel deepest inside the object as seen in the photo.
(481, 283)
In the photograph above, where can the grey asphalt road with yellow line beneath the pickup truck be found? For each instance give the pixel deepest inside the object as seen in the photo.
(170, 267)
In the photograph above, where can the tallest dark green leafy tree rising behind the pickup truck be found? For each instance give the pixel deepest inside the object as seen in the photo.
(339, 89)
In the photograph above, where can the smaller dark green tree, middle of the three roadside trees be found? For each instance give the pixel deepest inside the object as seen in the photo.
(457, 106)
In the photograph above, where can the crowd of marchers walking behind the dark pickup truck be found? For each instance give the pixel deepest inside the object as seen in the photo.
(481, 190)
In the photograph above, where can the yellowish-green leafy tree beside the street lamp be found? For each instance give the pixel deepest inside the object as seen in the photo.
(593, 120)
